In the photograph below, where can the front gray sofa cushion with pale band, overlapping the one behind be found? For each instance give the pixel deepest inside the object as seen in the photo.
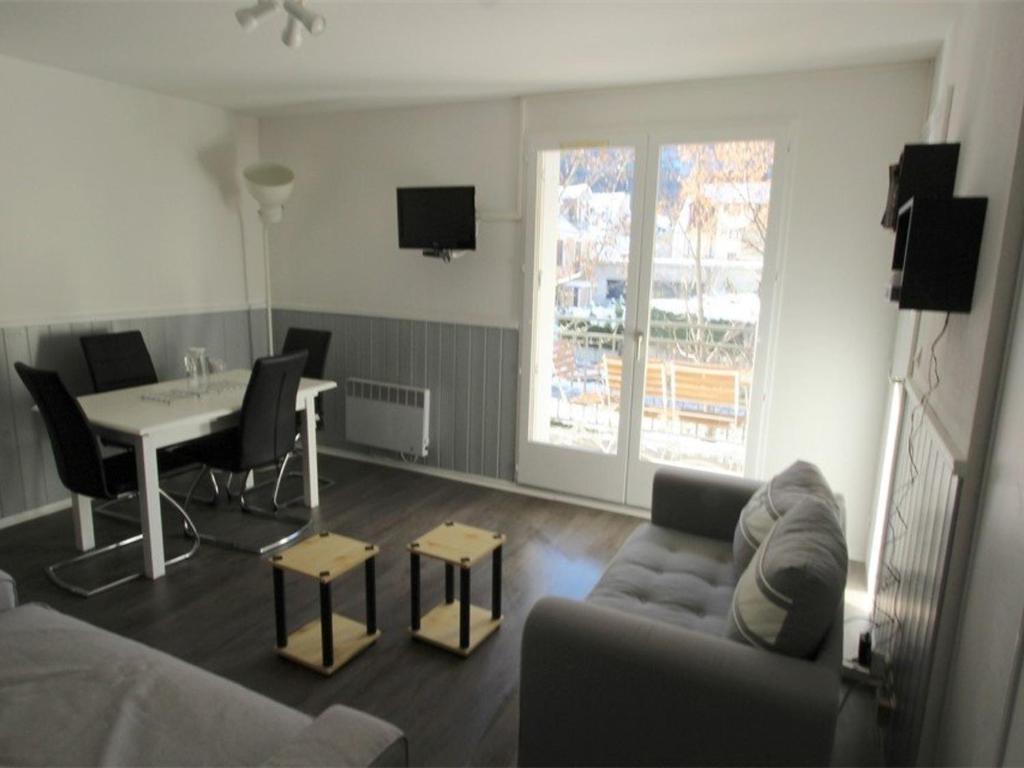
(786, 601)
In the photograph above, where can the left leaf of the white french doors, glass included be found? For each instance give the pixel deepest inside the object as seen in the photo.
(583, 238)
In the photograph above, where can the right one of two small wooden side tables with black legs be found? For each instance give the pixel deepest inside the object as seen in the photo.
(457, 625)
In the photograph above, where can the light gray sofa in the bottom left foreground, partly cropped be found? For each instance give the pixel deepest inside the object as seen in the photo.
(75, 695)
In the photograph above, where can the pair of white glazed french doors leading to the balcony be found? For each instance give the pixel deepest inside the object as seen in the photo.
(651, 267)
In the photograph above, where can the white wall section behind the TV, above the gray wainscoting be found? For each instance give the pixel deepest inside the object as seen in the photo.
(337, 248)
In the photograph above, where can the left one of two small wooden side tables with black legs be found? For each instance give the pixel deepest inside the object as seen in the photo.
(330, 644)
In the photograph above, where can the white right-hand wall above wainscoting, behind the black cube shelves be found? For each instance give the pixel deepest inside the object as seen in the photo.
(984, 62)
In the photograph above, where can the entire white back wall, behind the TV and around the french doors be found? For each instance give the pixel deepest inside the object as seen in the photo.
(337, 249)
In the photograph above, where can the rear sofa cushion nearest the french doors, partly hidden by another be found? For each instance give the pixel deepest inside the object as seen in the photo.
(771, 502)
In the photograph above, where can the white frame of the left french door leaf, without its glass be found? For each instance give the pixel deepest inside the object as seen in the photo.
(576, 472)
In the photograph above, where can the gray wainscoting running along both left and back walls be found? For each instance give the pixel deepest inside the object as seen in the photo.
(472, 373)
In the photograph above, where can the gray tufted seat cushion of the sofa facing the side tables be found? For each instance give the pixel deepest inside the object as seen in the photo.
(671, 577)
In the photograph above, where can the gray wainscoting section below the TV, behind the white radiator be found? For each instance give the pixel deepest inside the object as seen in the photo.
(472, 372)
